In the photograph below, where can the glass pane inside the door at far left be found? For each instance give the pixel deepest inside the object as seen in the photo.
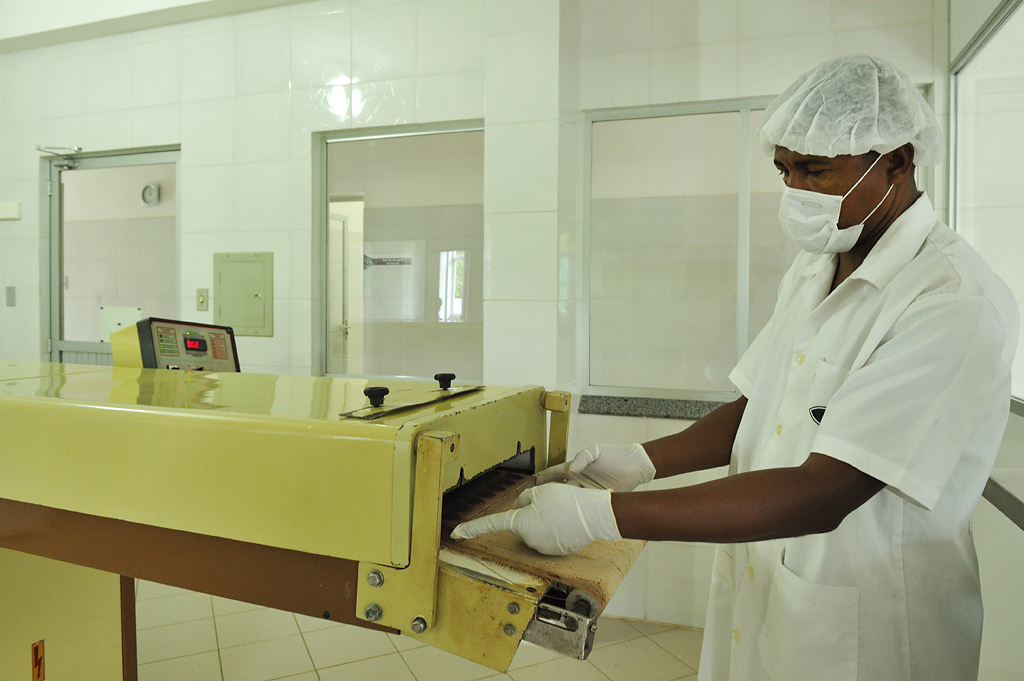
(118, 252)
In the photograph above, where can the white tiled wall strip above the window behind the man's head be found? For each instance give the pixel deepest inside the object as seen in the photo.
(658, 52)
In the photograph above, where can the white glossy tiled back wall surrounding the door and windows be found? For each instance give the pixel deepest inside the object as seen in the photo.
(241, 95)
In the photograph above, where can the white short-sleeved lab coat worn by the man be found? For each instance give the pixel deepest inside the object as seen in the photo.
(907, 367)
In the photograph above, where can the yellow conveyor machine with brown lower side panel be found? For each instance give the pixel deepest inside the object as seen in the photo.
(288, 492)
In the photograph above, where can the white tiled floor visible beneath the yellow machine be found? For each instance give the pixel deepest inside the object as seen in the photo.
(184, 636)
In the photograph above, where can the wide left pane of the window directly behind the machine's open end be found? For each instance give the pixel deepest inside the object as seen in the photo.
(664, 222)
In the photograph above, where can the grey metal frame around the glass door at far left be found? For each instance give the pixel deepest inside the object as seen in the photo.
(52, 216)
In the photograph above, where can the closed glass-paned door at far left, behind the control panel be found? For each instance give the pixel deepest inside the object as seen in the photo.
(113, 248)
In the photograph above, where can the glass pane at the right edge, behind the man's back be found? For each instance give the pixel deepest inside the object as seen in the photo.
(991, 145)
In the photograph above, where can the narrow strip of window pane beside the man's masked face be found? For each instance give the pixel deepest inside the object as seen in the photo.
(772, 251)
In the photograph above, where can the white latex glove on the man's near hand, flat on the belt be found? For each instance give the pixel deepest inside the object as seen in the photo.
(556, 520)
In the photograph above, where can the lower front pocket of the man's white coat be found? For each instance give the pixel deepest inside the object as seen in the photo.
(810, 631)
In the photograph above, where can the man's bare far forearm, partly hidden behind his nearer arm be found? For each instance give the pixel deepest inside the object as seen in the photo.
(708, 444)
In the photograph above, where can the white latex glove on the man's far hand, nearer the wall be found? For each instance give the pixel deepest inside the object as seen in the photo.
(616, 467)
